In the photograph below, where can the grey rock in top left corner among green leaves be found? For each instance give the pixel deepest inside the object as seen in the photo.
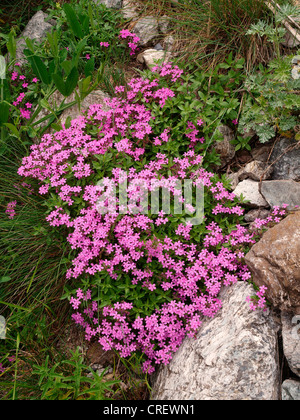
(36, 30)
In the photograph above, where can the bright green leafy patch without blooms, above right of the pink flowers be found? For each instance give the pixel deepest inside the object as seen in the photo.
(213, 96)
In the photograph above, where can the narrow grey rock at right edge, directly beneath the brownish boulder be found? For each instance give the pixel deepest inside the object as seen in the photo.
(291, 340)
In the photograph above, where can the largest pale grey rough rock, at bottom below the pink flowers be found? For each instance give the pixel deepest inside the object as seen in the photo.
(233, 357)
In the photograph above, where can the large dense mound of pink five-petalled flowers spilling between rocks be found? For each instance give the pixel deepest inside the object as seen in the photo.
(178, 267)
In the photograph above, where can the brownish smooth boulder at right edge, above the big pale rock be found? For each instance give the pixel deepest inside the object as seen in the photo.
(274, 263)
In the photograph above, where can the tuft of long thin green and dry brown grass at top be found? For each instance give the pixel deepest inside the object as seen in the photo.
(210, 30)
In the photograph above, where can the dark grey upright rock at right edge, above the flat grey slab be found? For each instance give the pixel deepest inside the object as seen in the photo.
(286, 159)
